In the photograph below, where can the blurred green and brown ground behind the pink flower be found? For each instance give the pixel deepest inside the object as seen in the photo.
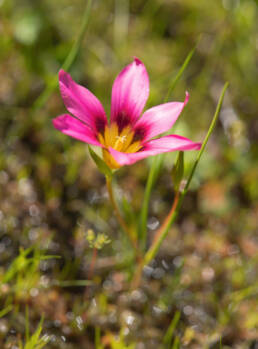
(51, 192)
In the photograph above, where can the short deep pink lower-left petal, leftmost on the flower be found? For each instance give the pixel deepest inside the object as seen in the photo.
(76, 129)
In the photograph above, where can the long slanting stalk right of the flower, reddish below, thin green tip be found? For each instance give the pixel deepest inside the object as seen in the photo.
(169, 220)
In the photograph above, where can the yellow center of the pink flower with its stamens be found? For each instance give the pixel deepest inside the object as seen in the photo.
(122, 141)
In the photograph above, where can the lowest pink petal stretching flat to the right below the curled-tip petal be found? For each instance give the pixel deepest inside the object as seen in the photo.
(154, 147)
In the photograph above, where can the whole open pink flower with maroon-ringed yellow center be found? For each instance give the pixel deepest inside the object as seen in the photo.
(127, 138)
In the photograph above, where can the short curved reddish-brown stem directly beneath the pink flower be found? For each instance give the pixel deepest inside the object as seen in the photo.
(119, 217)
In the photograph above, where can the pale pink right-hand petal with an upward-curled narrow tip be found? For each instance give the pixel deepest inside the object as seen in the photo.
(159, 119)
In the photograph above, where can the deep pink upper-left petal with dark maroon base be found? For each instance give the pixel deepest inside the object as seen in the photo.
(80, 102)
